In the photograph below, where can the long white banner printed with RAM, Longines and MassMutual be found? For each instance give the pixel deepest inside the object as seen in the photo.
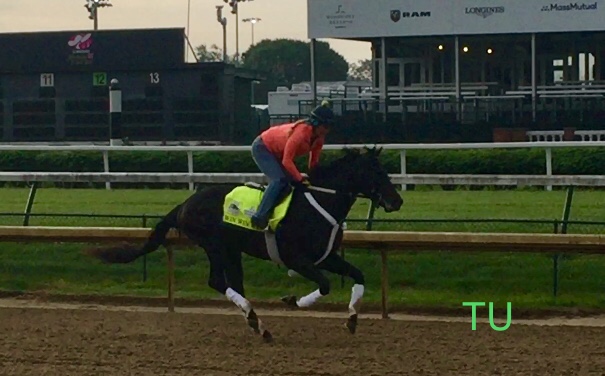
(357, 19)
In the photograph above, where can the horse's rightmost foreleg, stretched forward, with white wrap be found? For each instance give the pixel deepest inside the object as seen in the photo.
(337, 265)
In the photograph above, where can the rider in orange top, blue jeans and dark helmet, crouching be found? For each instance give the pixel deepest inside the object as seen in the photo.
(274, 152)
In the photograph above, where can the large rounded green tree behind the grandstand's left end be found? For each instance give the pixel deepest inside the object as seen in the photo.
(288, 61)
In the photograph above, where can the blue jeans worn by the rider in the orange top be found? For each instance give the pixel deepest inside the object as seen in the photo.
(278, 177)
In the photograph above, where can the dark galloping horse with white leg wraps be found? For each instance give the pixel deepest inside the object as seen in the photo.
(306, 239)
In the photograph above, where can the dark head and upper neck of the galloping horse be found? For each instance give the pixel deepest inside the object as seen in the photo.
(359, 171)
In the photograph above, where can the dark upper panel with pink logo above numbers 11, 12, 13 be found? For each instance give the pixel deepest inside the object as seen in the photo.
(102, 50)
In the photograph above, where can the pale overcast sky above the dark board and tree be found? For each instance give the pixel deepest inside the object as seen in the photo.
(279, 19)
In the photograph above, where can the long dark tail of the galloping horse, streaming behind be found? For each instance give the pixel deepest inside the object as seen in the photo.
(126, 253)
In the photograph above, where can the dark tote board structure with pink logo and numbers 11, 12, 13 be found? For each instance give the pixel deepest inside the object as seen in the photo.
(57, 89)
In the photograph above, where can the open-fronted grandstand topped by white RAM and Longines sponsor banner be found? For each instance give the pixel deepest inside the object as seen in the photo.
(467, 70)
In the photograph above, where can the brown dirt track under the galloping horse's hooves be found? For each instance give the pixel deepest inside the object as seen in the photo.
(70, 340)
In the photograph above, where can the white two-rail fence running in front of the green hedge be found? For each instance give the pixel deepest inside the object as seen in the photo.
(547, 180)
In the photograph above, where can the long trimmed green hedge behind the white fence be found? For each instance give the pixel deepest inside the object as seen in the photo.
(566, 161)
